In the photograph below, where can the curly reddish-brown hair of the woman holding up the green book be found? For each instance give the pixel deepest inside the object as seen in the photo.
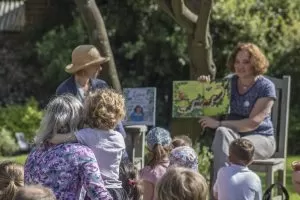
(258, 60)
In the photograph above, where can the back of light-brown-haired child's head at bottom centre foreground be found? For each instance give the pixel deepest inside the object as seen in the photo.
(182, 184)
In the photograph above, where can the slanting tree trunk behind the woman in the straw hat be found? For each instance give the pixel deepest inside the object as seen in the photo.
(98, 37)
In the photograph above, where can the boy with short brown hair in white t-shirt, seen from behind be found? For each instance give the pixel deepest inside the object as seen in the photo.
(236, 181)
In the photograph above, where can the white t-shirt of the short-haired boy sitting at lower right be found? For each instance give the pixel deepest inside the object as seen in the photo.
(236, 182)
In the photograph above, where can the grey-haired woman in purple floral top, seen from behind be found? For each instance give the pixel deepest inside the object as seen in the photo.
(64, 168)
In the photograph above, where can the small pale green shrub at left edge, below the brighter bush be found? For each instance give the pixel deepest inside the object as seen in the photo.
(7, 143)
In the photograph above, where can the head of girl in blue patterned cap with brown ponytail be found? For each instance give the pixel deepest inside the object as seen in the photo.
(159, 145)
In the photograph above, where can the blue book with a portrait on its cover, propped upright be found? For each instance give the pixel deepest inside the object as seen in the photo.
(140, 106)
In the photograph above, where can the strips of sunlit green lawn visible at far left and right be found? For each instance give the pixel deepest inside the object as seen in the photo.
(293, 196)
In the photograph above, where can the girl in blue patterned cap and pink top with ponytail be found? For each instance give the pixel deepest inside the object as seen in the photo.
(159, 145)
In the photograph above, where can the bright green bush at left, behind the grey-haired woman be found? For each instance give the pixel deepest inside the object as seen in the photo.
(21, 118)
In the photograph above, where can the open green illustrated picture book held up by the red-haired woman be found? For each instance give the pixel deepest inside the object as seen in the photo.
(192, 99)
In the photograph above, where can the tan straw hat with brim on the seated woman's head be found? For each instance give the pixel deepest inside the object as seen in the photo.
(84, 56)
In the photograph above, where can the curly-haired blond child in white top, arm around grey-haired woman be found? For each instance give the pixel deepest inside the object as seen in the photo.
(104, 109)
